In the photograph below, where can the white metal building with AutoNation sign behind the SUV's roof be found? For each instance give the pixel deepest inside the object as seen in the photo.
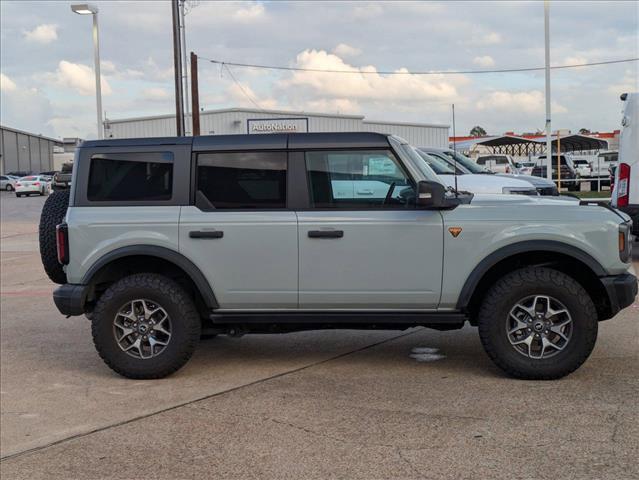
(243, 120)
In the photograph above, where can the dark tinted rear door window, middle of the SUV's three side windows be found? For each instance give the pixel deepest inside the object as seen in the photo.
(241, 180)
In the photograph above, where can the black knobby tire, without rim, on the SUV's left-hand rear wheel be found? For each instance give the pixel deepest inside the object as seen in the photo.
(185, 325)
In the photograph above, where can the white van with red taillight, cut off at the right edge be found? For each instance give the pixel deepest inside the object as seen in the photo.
(625, 195)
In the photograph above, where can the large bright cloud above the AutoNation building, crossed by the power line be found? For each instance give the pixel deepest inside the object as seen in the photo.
(370, 86)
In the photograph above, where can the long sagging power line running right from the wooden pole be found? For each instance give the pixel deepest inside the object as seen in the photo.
(439, 72)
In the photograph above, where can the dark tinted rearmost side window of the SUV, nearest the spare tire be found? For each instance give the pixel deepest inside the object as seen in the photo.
(130, 177)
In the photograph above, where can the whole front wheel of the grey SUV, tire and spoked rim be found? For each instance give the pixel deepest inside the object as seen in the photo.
(538, 324)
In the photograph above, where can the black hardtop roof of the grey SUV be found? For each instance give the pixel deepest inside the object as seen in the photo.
(273, 141)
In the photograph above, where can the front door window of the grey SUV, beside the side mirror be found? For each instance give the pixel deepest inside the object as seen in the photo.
(357, 179)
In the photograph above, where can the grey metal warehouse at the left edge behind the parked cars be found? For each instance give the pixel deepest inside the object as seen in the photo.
(22, 151)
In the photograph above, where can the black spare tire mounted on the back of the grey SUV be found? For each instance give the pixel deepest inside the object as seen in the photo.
(53, 212)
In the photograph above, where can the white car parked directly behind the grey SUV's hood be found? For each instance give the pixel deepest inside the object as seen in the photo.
(476, 183)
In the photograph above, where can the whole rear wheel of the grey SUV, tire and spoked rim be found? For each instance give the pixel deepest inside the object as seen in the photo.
(145, 326)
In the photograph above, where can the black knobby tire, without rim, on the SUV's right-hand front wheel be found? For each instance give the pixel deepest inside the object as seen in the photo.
(519, 284)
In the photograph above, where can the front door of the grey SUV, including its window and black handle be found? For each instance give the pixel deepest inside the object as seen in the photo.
(362, 244)
